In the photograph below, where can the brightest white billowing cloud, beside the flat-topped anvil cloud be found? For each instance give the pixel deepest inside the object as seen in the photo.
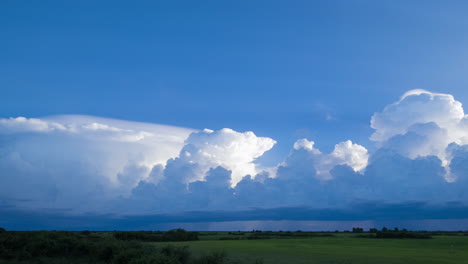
(227, 148)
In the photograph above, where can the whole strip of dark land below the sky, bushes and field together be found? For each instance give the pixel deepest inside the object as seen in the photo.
(182, 247)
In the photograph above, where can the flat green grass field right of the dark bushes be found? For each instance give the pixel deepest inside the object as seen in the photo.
(343, 248)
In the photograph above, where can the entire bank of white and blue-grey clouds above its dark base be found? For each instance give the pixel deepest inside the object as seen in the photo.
(104, 165)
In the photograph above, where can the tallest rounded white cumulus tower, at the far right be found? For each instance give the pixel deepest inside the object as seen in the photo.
(422, 124)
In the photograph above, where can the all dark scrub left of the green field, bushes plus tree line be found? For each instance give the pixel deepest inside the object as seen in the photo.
(100, 247)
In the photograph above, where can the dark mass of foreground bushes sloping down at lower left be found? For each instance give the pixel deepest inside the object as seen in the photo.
(27, 246)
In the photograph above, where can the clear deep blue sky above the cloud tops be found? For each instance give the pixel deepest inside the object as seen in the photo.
(278, 68)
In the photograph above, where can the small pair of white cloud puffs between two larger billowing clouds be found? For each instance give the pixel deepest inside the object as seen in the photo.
(344, 153)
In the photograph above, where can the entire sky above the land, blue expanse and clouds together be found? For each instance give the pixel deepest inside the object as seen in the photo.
(165, 107)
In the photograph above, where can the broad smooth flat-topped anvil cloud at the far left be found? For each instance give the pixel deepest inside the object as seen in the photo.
(65, 161)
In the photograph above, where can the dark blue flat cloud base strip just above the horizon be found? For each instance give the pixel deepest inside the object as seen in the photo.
(373, 212)
